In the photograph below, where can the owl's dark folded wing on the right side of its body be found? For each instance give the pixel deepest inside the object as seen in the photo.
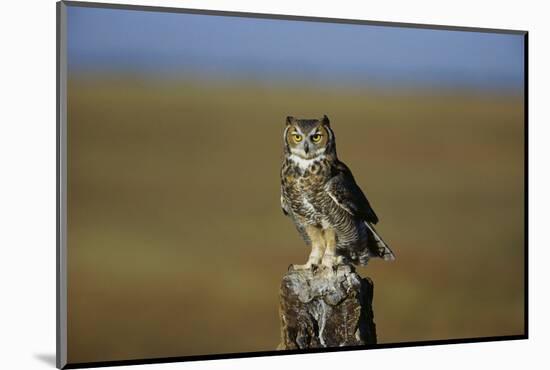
(345, 192)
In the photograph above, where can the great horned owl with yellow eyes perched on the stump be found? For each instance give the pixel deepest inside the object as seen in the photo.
(319, 194)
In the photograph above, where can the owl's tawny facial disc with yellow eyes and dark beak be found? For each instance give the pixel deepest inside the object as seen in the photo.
(307, 144)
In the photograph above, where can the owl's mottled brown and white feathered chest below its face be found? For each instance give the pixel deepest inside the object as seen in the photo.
(303, 188)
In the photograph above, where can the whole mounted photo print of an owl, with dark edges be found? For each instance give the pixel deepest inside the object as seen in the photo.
(234, 184)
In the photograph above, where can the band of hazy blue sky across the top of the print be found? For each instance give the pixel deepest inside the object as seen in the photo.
(155, 43)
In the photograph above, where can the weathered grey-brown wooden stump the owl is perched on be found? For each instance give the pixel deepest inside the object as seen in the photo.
(326, 308)
